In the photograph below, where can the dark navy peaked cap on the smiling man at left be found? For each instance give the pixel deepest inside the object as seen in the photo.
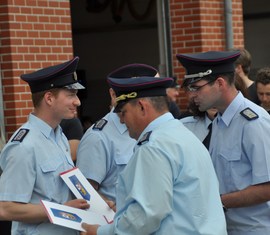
(57, 76)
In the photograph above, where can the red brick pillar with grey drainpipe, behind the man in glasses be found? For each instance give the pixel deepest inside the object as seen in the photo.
(199, 25)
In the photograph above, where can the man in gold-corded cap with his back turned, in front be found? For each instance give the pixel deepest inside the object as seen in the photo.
(169, 185)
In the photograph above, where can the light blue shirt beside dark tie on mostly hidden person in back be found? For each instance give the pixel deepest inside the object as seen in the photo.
(198, 126)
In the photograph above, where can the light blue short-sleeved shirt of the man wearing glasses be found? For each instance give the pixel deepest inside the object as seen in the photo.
(240, 151)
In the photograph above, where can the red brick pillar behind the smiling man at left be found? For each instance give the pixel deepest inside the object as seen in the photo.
(34, 34)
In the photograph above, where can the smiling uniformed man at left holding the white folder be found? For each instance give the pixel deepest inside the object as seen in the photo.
(38, 152)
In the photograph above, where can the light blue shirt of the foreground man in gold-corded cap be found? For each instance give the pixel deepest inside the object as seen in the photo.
(169, 186)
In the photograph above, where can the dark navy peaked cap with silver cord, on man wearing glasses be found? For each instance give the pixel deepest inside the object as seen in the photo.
(200, 65)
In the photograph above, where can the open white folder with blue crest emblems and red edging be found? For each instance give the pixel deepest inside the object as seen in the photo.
(98, 213)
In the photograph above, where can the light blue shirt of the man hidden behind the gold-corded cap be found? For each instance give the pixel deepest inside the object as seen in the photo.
(103, 153)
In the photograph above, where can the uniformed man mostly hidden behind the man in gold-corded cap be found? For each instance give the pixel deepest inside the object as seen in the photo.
(106, 147)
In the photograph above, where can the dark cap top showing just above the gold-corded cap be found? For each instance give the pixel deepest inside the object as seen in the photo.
(133, 70)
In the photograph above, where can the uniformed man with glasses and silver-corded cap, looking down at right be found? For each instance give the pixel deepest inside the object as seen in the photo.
(239, 146)
